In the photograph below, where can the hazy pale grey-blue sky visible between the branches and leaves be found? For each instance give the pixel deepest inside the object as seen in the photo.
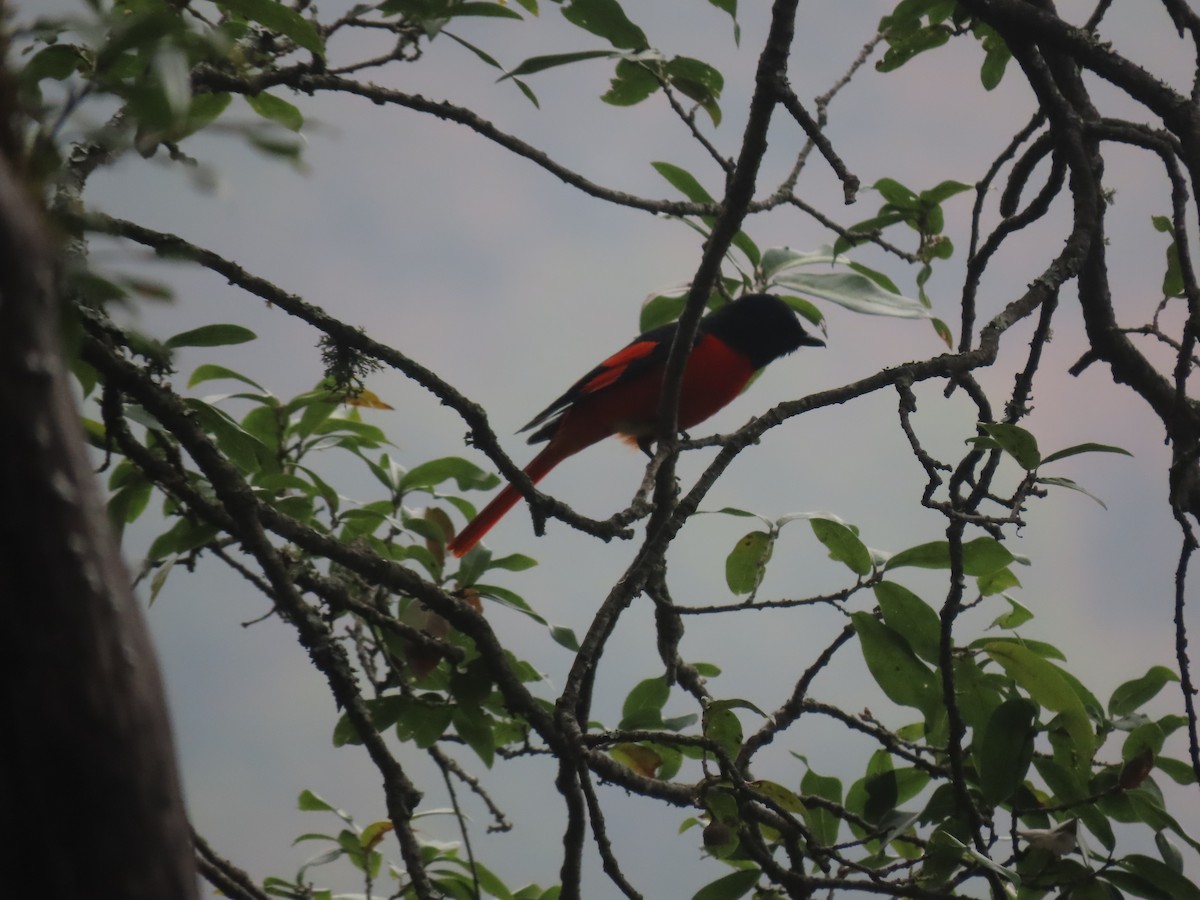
(511, 285)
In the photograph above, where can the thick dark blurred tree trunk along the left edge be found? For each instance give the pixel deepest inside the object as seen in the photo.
(91, 801)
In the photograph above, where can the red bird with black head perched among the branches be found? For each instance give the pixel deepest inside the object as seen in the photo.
(621, 397)
